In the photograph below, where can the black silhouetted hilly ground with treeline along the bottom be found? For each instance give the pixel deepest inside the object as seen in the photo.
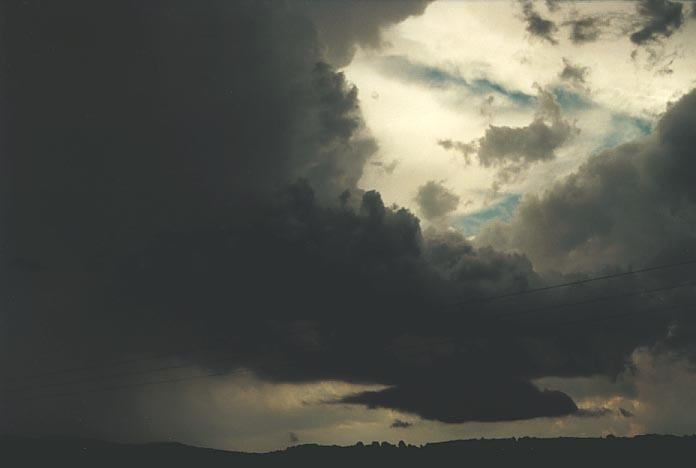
(649, 450)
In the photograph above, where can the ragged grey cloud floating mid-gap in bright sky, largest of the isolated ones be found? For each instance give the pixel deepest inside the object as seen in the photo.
(512, 149)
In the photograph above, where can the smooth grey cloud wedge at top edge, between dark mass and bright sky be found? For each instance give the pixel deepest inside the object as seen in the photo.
(344, 25)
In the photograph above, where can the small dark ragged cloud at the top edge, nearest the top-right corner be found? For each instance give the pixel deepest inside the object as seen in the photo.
(660, 19)
